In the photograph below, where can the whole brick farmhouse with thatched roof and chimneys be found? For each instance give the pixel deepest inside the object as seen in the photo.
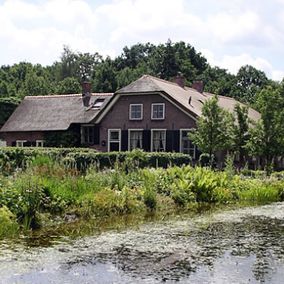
(150, 113)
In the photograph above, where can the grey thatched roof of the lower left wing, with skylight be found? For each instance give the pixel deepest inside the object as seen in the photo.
(54, 112)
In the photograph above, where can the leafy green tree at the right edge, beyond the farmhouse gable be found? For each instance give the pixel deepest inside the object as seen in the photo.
(267, 137)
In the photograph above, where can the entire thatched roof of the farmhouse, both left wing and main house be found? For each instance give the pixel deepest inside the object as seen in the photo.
(58, 112)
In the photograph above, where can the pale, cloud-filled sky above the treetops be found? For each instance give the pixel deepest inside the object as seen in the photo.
(229, 33)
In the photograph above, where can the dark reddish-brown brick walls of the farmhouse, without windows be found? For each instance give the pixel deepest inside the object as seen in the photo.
(118, 118)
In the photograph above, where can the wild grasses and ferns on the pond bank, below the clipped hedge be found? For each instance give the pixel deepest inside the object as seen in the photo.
(53, 187)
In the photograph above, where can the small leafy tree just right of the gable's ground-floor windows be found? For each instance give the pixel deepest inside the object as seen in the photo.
(214, 129)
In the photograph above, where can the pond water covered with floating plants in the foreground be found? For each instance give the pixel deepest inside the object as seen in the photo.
(244, 245)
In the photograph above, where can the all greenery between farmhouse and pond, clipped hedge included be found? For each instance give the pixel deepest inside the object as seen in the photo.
(40, 190)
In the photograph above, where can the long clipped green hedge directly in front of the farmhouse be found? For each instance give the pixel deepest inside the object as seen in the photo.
(12, 158)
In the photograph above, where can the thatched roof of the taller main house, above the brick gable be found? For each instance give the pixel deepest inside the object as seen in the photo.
(182, 96)
